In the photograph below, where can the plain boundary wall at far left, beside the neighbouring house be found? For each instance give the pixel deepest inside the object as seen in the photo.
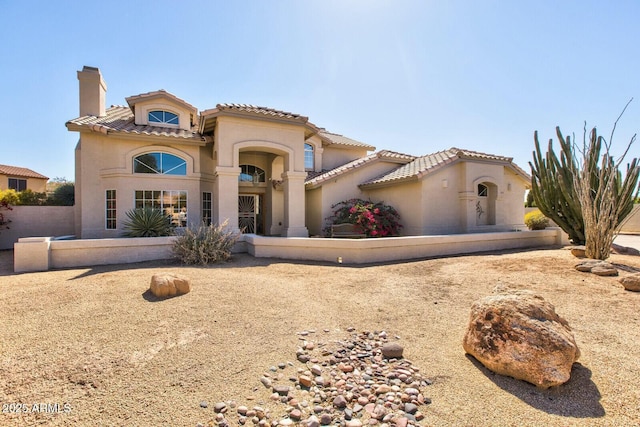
(29, 221)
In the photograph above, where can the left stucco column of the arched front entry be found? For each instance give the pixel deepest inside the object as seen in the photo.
(226, 196)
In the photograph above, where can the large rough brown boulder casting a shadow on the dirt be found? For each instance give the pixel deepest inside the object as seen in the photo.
(518, 334)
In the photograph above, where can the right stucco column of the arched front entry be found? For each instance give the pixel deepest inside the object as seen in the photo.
(294, 204)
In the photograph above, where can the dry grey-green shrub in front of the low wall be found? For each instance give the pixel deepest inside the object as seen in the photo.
(205, 244)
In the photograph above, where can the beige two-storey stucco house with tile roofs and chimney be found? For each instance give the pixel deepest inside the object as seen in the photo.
(268, 171)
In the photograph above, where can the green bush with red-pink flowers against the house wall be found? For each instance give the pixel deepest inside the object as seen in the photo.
(375, 219)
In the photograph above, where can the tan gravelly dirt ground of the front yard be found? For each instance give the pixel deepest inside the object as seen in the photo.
(94, 348)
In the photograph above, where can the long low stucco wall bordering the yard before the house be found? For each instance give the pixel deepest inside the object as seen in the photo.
(44, 253)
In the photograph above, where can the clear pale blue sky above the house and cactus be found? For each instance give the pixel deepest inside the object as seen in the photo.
(409, 76)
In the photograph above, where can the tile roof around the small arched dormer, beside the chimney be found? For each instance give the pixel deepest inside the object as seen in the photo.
(120, 119)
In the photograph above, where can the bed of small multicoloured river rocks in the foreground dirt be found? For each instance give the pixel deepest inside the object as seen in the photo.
(350, 383)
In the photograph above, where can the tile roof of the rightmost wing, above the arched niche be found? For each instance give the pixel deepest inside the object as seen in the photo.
(425, 165)
